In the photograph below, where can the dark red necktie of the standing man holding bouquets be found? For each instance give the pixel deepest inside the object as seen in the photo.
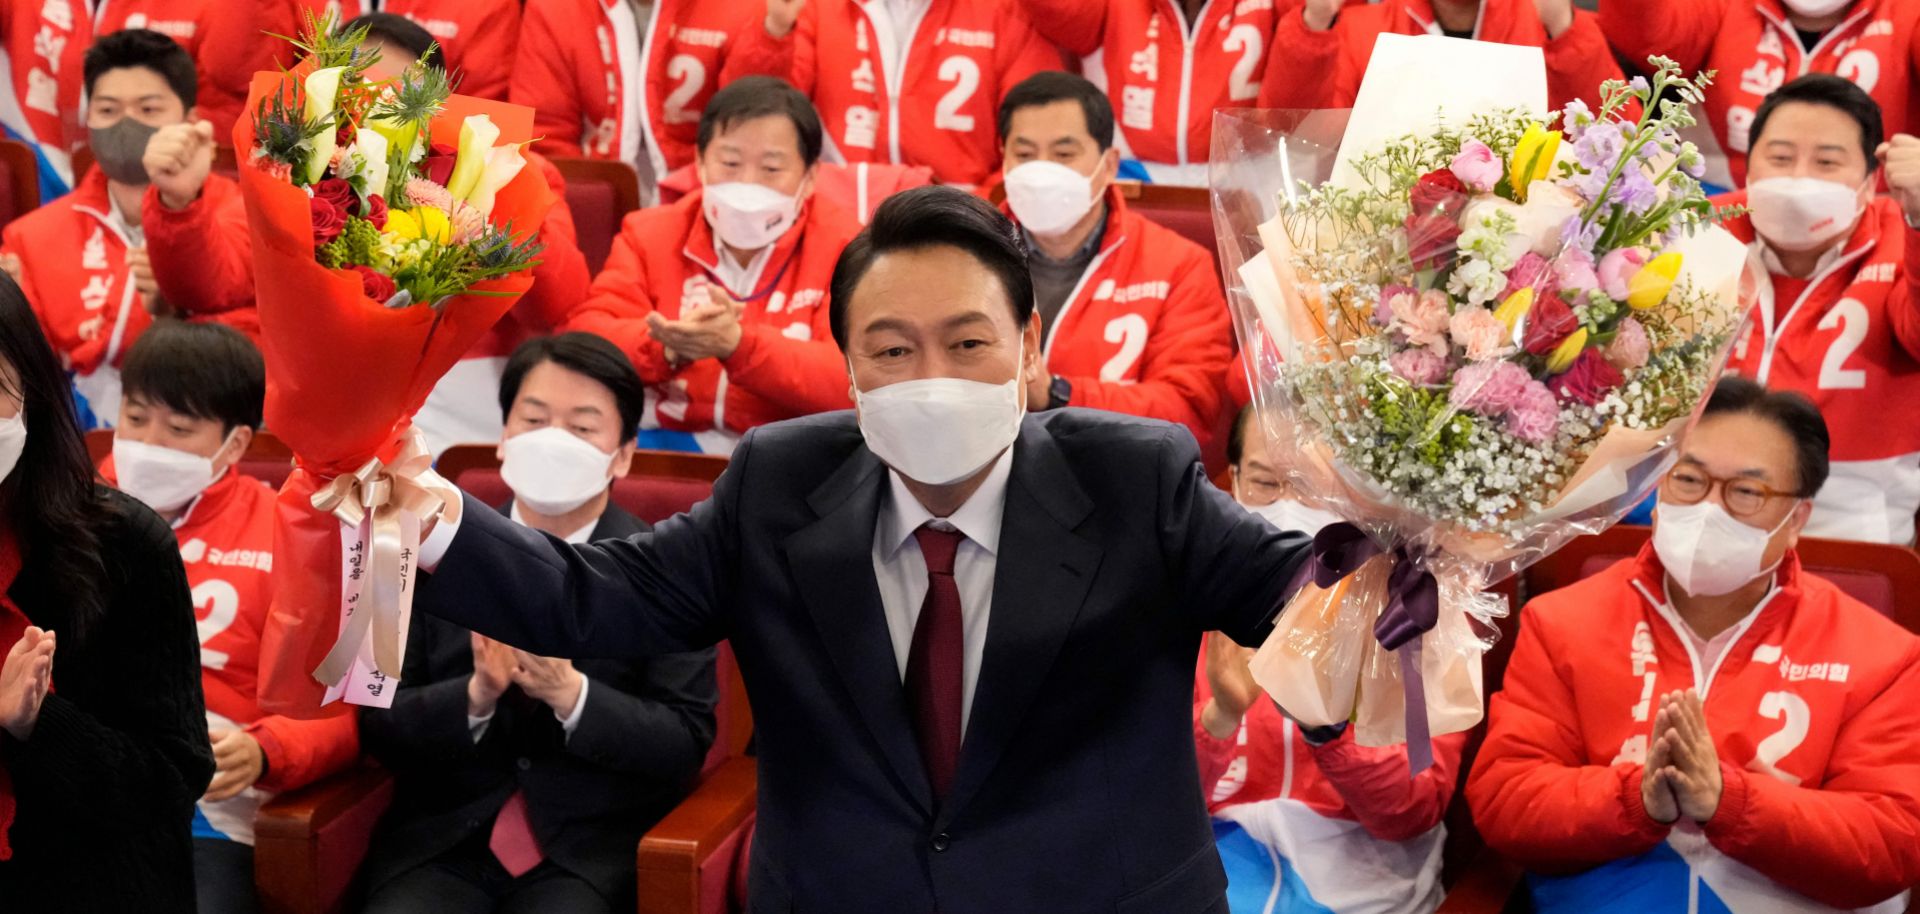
(934, 661)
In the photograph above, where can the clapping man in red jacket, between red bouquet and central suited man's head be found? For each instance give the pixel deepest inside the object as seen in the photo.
(721, 299)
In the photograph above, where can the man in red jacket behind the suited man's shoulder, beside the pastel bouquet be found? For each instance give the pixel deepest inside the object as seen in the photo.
(1132, 314)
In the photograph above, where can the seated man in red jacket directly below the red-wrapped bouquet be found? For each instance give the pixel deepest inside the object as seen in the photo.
(193, 404)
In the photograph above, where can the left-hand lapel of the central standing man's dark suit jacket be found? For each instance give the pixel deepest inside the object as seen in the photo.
(832, 569)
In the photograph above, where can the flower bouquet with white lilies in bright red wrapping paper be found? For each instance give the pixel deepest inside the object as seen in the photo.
(393, 226)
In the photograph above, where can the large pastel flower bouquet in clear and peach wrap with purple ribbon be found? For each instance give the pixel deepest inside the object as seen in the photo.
(1474, 335)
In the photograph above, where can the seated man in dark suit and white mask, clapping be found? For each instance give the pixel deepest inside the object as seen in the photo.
(523, 781)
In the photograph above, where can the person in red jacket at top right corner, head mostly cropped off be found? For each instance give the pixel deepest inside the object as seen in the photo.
(1760, 45)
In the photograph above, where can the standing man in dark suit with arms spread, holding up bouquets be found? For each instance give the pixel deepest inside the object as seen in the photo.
(969, 633)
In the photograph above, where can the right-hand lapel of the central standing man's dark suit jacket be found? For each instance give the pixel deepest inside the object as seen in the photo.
(1042, 577)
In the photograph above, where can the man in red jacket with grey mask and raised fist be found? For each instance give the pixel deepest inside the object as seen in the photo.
(149, 231)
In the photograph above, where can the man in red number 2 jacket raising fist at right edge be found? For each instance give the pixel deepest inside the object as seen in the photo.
(1838, 318)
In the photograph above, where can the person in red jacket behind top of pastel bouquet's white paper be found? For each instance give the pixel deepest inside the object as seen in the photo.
(1328, 45)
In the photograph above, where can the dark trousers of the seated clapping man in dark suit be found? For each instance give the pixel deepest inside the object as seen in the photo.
(471, 880)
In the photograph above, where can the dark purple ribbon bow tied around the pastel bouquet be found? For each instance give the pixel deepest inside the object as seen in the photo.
(1412, 610)
